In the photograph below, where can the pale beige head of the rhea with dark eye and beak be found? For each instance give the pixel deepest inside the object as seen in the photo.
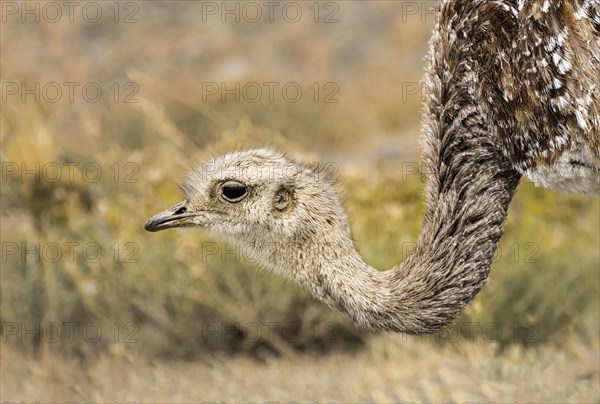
(258, 198)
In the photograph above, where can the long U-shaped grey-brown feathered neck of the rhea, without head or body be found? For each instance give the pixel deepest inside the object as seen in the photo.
(470, 186)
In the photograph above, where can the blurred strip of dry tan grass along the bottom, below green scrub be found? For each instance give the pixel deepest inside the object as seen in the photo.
(390, 371)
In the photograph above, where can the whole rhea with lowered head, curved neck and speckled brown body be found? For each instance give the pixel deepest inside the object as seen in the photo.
(512, 89)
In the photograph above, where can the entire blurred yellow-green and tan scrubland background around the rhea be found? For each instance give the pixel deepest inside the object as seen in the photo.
(105, 105)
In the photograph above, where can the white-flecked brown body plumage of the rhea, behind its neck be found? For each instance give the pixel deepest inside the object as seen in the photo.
(538, 67)
